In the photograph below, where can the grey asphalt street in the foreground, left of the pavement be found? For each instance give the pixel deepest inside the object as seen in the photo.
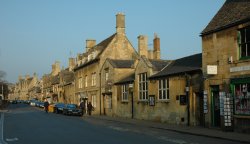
(24, 124)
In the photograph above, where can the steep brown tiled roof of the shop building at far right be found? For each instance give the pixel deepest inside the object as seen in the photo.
(233, 12)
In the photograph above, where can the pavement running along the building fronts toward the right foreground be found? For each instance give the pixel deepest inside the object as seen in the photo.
(193, 130)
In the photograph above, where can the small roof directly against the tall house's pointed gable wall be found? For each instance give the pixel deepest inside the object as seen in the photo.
(121, 63)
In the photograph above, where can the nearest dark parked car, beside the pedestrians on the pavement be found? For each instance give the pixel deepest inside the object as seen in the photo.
(72, 109)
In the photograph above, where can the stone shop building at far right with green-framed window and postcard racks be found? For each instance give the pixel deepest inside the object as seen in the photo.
(226, 67)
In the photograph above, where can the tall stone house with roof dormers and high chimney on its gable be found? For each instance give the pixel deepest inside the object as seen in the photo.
(89, 63)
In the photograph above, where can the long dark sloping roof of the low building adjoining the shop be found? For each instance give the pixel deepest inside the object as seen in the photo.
(182, 65)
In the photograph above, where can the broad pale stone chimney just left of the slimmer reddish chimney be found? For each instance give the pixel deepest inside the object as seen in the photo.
(143, 45)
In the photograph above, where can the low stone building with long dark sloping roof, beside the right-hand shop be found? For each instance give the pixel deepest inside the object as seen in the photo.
(175, 94)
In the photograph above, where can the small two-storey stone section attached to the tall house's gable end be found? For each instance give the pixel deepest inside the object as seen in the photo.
(114, 71)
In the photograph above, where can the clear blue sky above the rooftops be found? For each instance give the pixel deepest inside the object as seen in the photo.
(36, 33)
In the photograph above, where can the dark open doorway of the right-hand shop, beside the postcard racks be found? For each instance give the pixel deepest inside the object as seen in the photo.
(215, 106)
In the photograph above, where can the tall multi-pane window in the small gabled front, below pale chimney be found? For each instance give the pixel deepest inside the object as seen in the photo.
(143, 86)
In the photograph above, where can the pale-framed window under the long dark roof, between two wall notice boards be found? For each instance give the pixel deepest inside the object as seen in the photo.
(163, 89)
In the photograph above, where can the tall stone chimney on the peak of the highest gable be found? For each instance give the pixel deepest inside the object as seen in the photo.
(120, 23)
